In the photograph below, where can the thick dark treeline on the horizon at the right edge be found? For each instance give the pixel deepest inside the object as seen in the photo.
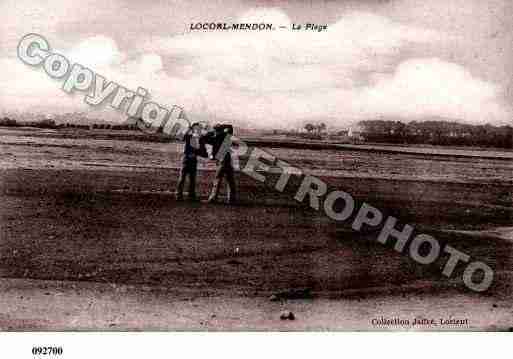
(437, 133)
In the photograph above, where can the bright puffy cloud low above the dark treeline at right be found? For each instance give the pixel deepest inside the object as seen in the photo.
(434, 88)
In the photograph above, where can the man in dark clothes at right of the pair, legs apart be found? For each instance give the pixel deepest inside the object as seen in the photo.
(216, 138)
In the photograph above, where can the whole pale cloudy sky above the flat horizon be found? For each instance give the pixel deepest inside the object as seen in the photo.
(397, 59)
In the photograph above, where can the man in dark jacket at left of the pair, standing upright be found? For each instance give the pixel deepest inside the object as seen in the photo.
(194, 147)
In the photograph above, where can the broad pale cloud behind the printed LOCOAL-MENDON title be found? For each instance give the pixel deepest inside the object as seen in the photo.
(287, 60)
